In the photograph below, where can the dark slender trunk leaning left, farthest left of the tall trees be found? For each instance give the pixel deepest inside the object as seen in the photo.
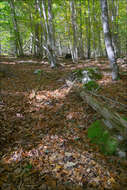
(16, 29)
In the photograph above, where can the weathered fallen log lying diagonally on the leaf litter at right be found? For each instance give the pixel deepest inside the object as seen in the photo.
(111, 120)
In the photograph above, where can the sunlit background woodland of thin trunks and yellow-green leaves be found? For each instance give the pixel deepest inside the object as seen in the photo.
(26, 27)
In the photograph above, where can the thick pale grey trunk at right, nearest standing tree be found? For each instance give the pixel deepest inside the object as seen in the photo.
(108, 40)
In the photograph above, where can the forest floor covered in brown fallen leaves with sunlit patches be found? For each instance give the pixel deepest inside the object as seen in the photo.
(43, 129)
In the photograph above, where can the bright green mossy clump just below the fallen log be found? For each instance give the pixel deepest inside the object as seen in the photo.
(99, 135)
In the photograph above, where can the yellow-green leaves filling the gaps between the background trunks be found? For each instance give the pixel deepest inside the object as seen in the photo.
(28, 16)
